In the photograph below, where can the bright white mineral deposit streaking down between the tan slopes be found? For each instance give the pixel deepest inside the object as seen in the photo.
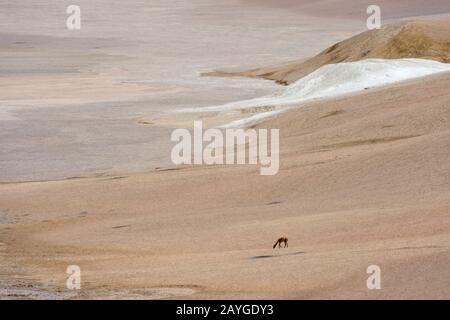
(334, 80)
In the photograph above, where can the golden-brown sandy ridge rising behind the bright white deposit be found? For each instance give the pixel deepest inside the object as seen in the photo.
(416, 39)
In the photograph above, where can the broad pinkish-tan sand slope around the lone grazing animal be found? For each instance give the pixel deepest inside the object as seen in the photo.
(364, 180)
